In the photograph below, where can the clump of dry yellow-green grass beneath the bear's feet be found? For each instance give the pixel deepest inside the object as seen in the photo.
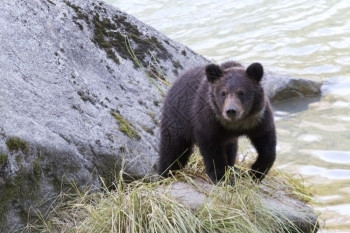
(143, 206)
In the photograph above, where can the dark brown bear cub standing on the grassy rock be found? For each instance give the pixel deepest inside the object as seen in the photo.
(212, 106)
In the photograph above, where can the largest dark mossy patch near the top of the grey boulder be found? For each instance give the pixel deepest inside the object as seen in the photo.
(122, 39)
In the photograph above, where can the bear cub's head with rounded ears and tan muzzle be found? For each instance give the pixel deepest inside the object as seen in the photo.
(236, 94)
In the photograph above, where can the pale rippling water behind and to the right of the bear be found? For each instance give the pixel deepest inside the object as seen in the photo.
(306, 39)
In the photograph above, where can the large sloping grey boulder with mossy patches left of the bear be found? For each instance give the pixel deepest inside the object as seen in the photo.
(82, 86)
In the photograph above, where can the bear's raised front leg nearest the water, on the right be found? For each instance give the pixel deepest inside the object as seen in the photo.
(265, 145)
